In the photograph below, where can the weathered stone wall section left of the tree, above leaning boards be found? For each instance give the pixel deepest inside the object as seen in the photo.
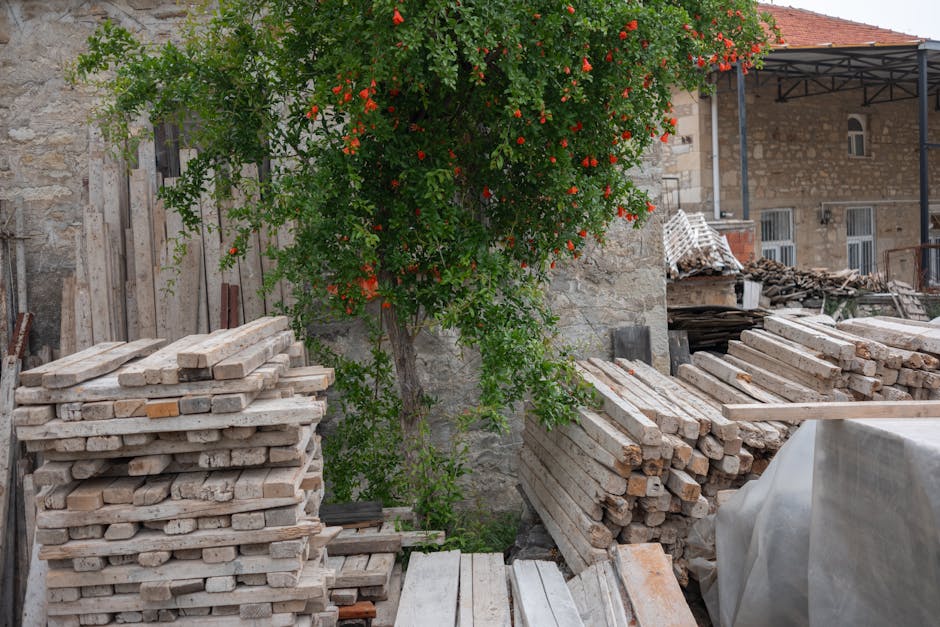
(44, 130)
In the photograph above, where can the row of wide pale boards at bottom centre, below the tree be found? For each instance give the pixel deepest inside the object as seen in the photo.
(632, 586)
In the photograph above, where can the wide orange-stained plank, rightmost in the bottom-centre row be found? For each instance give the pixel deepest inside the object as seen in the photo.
(646, 573)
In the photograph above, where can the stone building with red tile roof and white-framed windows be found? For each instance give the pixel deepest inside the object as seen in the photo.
(832, 146)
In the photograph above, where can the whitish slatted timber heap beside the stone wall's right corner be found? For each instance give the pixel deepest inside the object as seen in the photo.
(692, 247)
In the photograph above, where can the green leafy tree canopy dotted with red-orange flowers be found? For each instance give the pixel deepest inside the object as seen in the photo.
(436, 157)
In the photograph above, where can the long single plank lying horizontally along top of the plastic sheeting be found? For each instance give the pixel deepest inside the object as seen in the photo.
(869, 410)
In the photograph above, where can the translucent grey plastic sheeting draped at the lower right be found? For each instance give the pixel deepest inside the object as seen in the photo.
(843, 528)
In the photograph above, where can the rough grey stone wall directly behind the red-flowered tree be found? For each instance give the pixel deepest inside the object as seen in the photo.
(43, 163)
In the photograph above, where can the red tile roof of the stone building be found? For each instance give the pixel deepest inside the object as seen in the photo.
(805, 29)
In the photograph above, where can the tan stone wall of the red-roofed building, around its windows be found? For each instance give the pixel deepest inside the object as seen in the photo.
(798, 159)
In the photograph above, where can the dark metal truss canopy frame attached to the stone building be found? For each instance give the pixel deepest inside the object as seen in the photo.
(881, 73)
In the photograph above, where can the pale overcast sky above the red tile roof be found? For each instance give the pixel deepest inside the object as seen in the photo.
(914, 17)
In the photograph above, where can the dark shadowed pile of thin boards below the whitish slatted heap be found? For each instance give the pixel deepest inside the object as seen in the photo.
(710, 327)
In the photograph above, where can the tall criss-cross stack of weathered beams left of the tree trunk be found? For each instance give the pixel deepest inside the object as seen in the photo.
(181, 483)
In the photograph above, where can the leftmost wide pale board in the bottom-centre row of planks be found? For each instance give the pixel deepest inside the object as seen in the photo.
(429, 596)
